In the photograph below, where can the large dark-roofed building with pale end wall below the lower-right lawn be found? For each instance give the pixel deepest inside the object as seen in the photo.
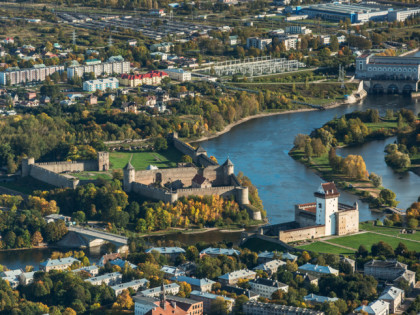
(389, 270)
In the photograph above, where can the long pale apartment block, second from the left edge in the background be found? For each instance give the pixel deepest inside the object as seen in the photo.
(102, 69)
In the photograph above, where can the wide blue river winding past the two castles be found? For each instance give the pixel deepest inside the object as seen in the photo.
(260, 149)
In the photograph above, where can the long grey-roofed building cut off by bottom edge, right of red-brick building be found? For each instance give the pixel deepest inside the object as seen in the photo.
(258, 308)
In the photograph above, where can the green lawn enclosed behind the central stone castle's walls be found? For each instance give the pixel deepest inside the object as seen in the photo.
(141, 160)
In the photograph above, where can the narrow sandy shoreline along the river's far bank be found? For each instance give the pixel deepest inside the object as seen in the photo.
(229, 127)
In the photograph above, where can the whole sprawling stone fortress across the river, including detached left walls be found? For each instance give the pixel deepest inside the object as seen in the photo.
(204, 177)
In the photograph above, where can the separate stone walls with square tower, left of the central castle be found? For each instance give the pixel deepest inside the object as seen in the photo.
(55, 173)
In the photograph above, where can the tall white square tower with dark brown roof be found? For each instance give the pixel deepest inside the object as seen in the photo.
(326, 206)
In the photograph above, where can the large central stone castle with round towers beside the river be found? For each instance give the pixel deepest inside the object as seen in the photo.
(203, 178)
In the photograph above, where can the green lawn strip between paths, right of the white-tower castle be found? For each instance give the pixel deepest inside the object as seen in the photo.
(368, 239)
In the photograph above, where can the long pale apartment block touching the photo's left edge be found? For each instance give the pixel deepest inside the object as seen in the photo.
(38, 73)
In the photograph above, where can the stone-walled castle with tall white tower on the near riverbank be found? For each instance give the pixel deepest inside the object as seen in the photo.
(324, 217)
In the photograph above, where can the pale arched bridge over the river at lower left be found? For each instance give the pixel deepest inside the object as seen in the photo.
(95, 238)
